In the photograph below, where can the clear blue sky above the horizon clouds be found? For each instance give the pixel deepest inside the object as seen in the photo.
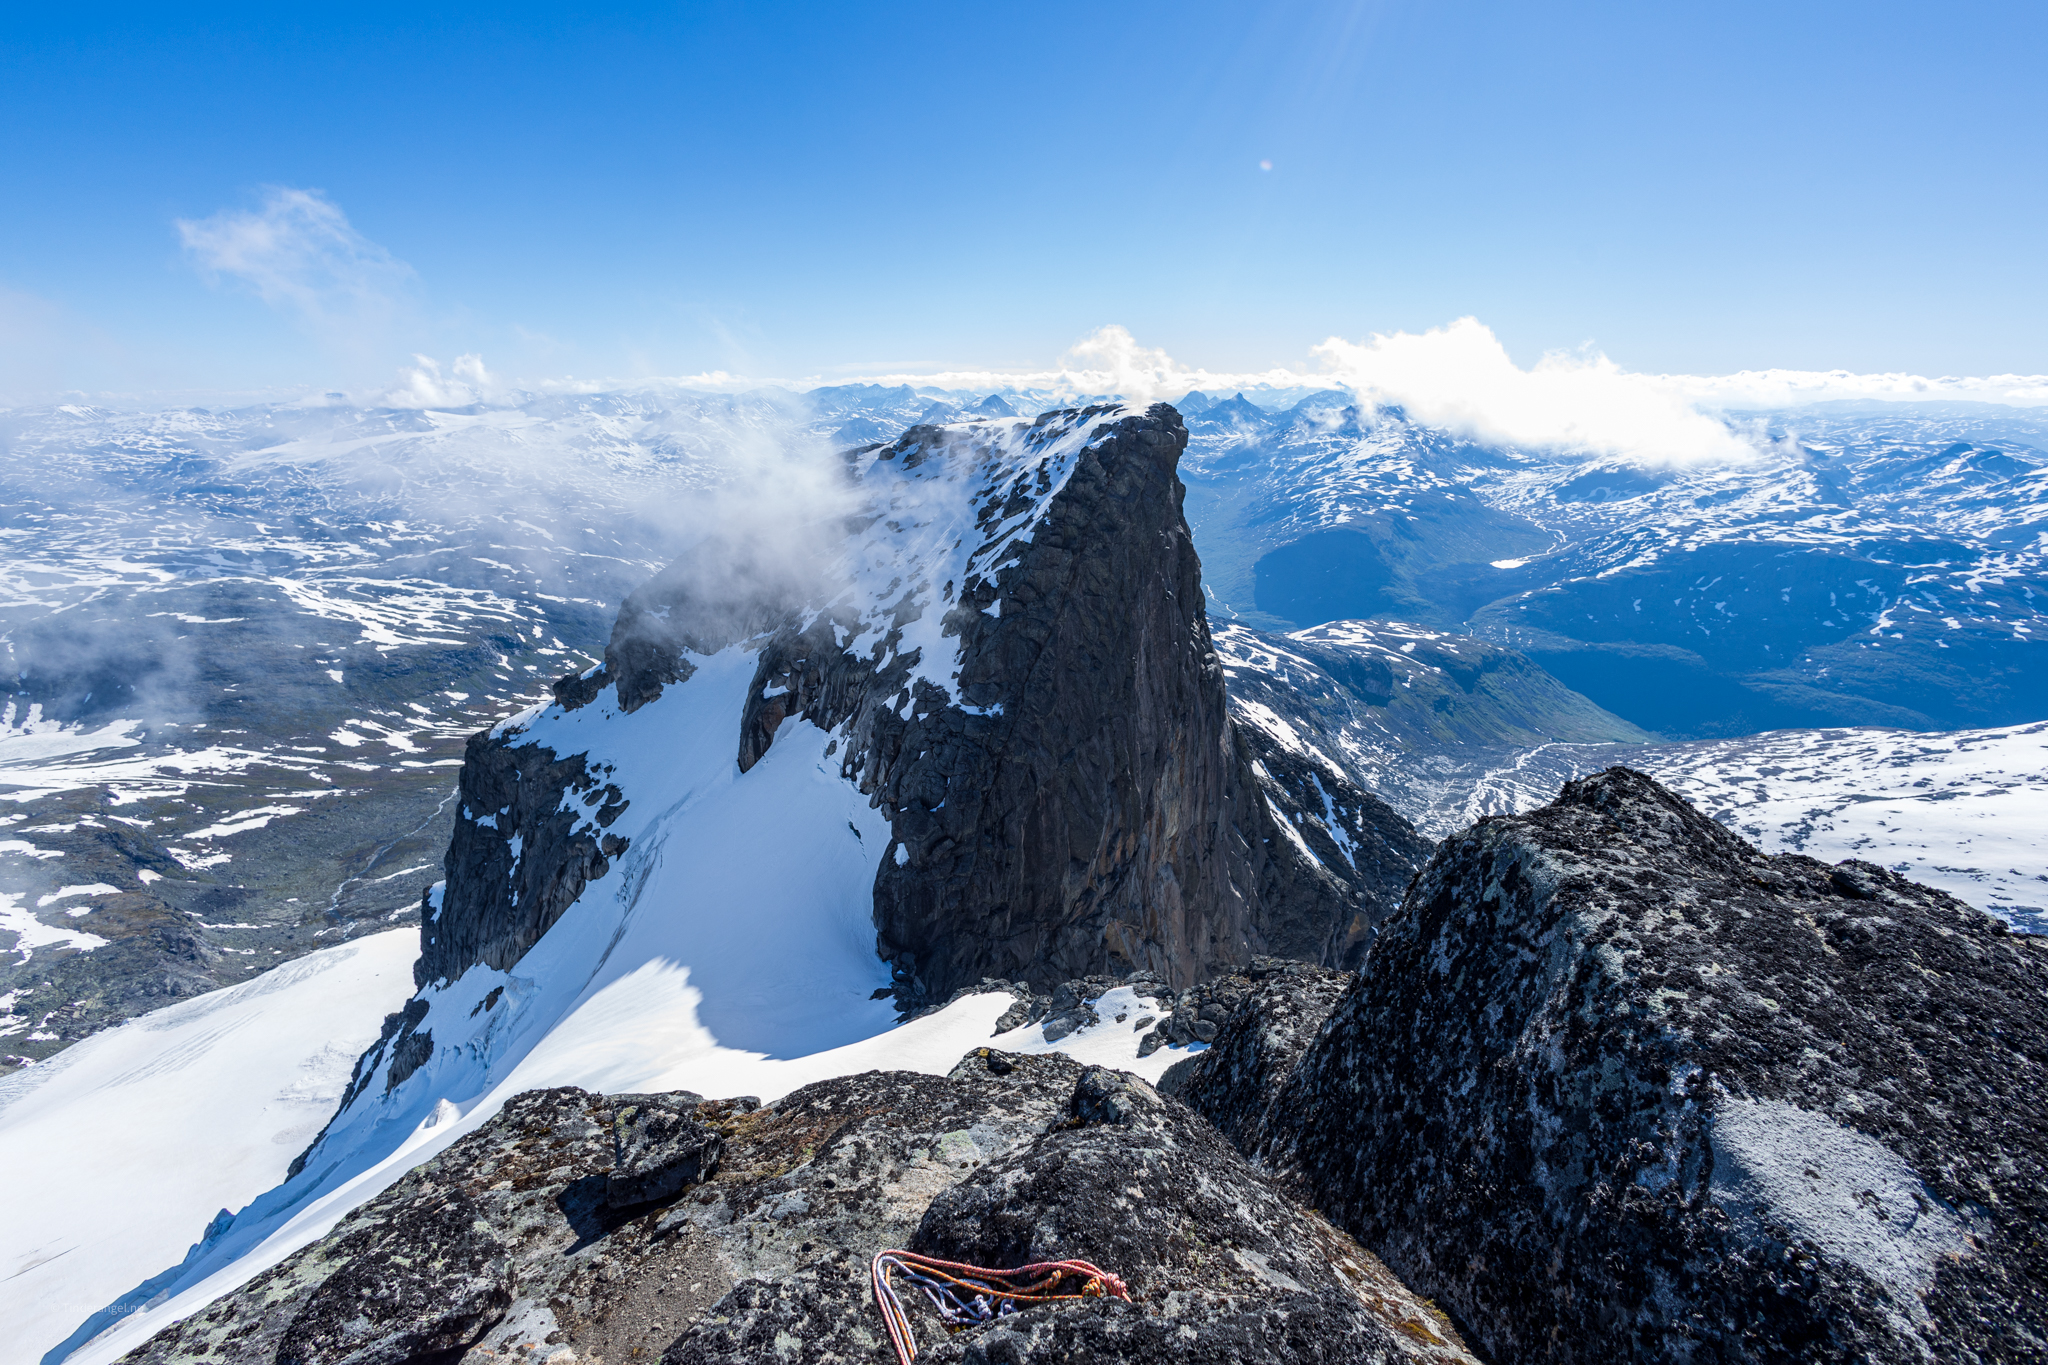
(785, 189)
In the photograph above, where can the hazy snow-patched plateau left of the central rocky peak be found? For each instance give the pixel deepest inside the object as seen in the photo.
(243, 652)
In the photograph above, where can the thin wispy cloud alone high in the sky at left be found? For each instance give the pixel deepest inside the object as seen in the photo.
(298, 253)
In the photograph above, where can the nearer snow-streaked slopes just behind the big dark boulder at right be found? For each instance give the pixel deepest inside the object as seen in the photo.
(1451, 730)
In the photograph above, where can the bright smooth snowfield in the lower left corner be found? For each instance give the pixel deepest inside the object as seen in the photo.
(216, 1094)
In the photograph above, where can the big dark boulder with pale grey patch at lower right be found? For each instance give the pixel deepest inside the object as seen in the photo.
(1619, 1088)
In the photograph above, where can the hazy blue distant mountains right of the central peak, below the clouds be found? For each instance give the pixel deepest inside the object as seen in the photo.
(1867, 568)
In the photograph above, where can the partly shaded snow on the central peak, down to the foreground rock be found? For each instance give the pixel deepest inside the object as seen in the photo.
(730, 951)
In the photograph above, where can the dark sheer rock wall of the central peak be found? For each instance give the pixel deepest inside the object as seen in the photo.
(1103, 818)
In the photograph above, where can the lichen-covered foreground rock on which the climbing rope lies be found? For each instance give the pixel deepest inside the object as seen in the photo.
(509, 1245)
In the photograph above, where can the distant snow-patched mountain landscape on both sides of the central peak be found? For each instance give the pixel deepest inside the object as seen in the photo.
(245, 648)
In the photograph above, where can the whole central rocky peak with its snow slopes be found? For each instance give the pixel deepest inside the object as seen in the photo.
(978, 734)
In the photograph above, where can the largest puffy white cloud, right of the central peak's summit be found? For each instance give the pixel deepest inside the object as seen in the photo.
(1461, 380)
